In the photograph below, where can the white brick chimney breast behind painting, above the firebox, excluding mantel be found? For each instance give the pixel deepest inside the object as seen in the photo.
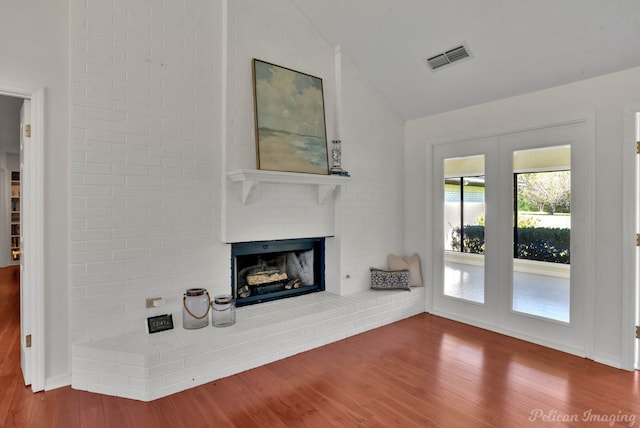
(262, 30)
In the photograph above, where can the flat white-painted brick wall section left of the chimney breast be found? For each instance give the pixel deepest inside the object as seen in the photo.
(144, 150)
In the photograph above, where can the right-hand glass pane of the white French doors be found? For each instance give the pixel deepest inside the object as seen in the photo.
(541, 232)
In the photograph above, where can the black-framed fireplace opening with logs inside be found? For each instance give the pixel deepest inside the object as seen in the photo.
(268, 270)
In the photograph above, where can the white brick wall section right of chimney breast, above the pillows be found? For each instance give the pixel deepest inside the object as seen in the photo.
(370, 209)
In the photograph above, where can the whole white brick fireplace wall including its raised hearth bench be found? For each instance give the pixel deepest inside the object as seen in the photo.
(161, 110)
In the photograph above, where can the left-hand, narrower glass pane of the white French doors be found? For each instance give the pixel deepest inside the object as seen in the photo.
(464, 216)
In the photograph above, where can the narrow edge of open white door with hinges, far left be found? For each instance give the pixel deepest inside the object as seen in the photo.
(25, 292)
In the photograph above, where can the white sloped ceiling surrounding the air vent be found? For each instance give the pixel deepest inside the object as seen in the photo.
(518, 46)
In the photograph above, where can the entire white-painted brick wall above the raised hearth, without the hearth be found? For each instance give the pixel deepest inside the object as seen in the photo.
(159, 114)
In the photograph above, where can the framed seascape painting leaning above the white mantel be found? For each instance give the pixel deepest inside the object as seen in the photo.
(291, 133)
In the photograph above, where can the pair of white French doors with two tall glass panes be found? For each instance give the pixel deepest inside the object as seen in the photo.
(512, 236)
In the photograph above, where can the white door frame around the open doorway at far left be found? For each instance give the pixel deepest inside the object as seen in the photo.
(33, 230)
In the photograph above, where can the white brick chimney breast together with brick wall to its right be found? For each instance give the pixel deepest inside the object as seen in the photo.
(365, 217)
